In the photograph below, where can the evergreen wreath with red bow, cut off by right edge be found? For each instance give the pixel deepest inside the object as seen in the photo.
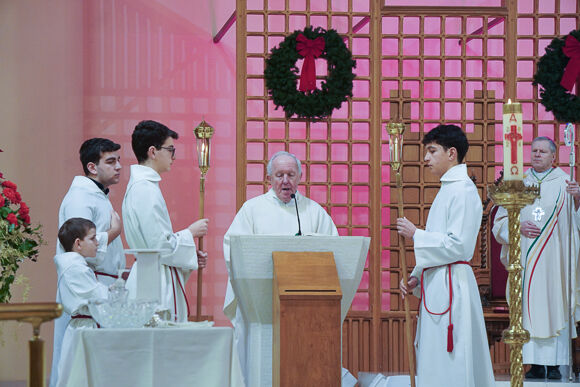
(557, 72)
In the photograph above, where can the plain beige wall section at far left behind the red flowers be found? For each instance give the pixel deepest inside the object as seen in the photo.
(41, 111)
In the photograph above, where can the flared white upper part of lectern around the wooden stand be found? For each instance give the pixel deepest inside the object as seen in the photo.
(252, 268)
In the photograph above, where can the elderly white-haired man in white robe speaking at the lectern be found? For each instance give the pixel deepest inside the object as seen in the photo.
(273, 213)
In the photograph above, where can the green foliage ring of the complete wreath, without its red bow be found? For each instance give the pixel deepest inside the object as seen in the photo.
(281, 76)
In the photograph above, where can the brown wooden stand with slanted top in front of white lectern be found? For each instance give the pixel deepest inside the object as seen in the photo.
(306, 320)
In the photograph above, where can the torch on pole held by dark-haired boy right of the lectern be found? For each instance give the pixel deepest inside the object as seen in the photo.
(395, 131)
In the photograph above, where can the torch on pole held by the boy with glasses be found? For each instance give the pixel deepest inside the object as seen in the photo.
(203, 133)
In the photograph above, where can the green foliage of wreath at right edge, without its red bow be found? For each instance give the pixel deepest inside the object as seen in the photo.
(564, 105)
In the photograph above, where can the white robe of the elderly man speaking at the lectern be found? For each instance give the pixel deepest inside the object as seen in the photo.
(268, 215)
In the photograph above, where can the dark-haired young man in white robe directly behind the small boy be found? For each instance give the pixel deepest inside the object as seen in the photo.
(88, 197)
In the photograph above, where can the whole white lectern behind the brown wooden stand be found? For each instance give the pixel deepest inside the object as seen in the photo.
(251, 270)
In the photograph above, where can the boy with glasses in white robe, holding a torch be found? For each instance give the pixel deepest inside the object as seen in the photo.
(147, 223)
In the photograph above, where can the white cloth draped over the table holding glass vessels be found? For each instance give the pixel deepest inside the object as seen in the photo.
(152, 357)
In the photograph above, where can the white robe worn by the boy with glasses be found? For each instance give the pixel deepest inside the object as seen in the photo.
(148, 226)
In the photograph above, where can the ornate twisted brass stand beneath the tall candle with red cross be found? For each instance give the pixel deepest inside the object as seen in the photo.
(513, 195)
